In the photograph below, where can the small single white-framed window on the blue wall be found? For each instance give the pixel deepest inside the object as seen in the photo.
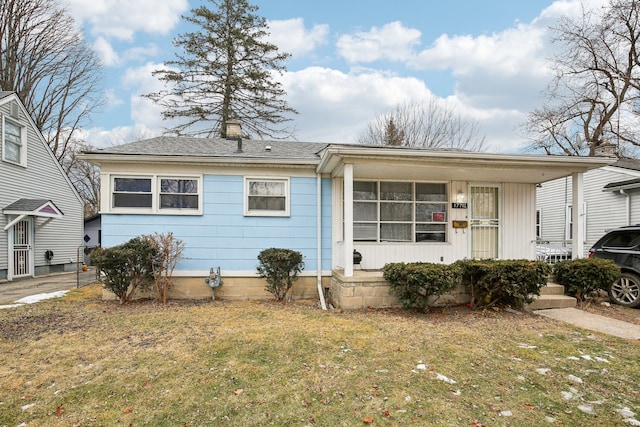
(266, 197)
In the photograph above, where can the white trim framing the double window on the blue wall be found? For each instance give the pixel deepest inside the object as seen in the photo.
(155, 195)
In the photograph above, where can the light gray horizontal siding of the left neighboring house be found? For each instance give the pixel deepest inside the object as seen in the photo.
(42, 179)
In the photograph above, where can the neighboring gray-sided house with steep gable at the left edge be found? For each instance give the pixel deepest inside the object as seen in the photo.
(41, 220)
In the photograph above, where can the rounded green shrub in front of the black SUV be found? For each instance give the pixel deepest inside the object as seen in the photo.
(584, 277)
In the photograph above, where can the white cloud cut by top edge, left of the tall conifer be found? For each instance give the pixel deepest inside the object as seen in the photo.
(122, 19)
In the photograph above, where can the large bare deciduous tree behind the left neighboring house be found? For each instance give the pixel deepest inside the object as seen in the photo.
(46, 61)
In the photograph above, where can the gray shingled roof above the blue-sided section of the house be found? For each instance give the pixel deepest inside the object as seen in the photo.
(217, 147)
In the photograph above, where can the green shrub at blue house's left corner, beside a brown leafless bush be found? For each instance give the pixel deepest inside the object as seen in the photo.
(125, 268)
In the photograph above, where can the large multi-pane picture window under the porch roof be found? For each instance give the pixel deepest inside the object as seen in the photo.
(399, 211)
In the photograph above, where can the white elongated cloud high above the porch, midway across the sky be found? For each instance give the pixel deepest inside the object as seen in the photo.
(393, 41)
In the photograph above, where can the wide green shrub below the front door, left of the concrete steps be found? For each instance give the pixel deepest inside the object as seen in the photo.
(503, 282)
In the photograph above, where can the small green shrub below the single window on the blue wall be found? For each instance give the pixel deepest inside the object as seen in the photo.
(280, 267)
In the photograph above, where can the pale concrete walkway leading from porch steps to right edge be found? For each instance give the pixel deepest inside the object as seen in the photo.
(593, 322)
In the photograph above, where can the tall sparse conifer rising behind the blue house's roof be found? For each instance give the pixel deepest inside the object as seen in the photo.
(226, 71)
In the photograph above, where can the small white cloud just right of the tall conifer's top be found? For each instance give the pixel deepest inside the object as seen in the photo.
(292, 37)
